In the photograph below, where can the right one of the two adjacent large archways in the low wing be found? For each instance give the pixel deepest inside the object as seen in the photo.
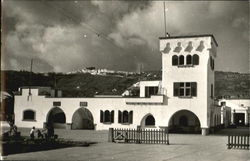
(82, 119)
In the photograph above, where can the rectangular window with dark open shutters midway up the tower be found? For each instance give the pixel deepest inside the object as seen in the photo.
(185, 89)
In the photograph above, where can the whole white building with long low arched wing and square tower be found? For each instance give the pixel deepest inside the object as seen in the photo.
(182, 101)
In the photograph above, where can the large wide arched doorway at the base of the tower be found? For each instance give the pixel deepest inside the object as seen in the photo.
(184, 121)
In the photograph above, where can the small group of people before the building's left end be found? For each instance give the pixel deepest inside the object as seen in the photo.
(47, 132)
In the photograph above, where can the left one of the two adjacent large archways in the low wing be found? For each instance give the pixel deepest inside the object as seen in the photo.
(56, 117)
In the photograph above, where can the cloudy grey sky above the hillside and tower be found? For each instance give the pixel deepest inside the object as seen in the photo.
(63, 36)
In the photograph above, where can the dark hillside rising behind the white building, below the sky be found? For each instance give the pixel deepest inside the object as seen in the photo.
(86, 85)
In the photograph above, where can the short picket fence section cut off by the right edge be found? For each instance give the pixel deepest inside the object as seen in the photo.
(238, 141)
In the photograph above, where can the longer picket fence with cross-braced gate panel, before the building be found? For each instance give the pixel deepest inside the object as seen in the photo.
(139, 136)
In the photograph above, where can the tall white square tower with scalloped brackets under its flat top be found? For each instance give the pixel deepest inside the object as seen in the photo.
(188, 74)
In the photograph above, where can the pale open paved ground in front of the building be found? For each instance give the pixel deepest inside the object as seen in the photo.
(183, 147)
